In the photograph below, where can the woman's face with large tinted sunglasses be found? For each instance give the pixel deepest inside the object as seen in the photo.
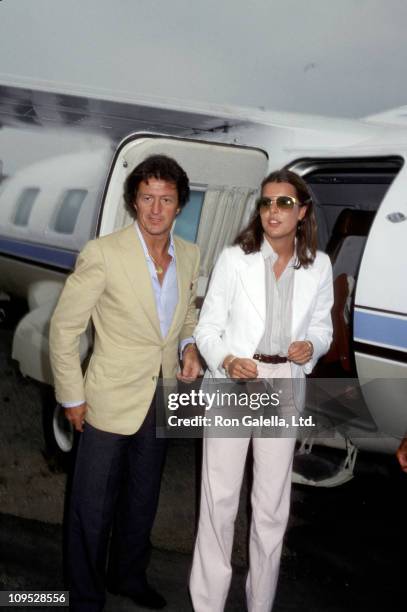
(280, 224)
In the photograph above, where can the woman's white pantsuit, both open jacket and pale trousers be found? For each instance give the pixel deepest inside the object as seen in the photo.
(232, 322)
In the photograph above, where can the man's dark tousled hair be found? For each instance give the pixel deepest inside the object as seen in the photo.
(161, 168)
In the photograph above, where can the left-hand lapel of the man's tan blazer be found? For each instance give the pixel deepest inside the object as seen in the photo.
(135, 266)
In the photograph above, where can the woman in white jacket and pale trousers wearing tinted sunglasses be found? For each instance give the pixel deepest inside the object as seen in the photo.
(266, 315)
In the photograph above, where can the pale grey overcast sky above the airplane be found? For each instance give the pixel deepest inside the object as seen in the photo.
(343, 58)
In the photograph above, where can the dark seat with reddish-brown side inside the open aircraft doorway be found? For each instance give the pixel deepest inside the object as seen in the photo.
(345, 248)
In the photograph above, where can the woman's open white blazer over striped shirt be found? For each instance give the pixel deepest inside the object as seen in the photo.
(233, 314)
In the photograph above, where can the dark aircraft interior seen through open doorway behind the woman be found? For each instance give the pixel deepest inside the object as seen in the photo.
(347, 193)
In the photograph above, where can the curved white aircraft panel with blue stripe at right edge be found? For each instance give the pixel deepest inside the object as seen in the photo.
(380, 318)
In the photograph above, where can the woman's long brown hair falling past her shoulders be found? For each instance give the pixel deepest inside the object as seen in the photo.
(251, 238)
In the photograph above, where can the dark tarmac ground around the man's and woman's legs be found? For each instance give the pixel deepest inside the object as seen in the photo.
(344, 548)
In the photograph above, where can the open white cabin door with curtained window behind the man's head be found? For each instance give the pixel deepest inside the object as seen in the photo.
(224, 181)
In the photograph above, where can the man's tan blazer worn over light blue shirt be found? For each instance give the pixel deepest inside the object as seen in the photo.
(112, 285)
